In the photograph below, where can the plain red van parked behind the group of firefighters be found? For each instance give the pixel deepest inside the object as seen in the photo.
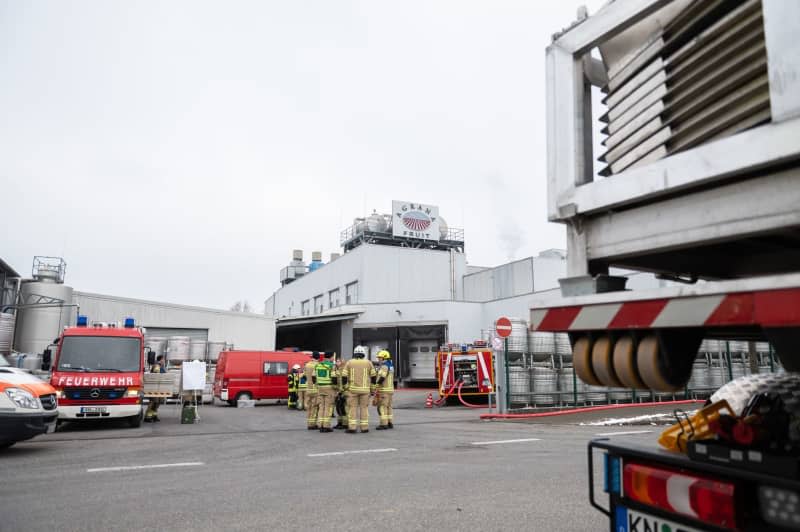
(255, 374)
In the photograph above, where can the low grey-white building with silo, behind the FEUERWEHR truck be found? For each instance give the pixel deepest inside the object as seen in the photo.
(35, 310)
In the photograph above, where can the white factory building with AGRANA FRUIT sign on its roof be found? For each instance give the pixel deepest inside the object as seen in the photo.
(408, 292)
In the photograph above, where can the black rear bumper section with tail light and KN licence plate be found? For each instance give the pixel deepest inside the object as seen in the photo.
(650, 489)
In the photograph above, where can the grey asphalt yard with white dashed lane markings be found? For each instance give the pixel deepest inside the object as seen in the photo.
(260, 469)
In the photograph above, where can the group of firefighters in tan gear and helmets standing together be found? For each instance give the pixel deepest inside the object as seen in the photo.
(324, 387)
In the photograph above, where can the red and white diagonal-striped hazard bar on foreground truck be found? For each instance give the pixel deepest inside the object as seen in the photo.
(769, 308)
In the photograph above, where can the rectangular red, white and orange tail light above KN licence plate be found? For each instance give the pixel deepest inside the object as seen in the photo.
(704, 499)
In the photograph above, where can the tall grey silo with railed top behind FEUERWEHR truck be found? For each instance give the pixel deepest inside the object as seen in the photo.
(38, 325)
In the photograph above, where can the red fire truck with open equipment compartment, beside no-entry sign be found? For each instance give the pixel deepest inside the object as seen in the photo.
(465, 370)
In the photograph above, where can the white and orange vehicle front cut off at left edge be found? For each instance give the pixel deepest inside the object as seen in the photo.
(28, 406)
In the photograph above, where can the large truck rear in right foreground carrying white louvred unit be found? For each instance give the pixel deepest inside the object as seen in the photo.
(699, 184)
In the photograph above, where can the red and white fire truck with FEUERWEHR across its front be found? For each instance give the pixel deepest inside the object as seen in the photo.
(98, 370)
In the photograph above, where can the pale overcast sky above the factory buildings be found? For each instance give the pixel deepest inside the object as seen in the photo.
(179, 151)
